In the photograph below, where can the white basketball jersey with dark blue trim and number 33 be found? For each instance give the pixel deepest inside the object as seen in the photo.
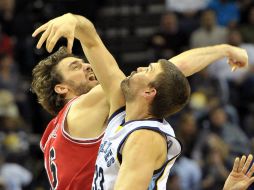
(110, 153)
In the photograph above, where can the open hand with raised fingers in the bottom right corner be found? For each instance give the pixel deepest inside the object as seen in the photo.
(240, 177)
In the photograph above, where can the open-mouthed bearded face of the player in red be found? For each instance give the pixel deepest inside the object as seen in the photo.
(77, 75)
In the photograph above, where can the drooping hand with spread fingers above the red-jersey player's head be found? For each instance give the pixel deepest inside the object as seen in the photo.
(53, 30)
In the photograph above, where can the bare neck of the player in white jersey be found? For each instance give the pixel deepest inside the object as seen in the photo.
(136, 110)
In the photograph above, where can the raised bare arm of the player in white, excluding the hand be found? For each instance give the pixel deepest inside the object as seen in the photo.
(103, 63)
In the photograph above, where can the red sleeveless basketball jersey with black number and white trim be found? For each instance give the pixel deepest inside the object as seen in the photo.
(69, 162)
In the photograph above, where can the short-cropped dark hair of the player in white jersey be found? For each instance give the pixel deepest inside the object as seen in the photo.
(173, 91)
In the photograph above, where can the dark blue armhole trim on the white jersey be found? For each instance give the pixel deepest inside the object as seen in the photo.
(156, 129)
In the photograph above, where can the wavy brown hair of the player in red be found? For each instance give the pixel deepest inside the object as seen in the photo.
(45, 76)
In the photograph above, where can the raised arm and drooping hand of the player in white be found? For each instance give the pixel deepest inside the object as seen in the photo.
(103, 63)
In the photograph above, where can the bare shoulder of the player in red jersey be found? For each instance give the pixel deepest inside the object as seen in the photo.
(88, 115)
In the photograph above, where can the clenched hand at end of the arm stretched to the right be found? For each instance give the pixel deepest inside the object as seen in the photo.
(237, 58)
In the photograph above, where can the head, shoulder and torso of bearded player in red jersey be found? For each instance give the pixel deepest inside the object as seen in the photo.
(71, 141)
